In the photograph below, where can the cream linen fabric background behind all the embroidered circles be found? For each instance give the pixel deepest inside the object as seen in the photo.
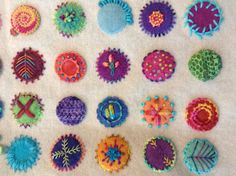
(181, 88)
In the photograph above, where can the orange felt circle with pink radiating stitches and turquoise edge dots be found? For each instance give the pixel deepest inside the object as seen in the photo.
(158, 111)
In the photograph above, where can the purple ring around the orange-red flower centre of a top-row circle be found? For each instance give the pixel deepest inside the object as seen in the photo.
(165, 27)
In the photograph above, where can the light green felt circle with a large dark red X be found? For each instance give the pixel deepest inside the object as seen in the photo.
(27, 109)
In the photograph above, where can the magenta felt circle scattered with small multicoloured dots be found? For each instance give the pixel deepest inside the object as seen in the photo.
(158, 65)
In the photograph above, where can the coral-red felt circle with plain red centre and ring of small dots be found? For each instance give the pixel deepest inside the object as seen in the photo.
(70, 66)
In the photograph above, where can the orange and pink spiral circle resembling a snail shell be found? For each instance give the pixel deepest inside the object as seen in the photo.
(25, 20)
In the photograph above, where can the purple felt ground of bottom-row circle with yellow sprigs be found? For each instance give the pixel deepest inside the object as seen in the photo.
(154, 155)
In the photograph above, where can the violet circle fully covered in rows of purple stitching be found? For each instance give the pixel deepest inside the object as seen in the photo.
(71, 110)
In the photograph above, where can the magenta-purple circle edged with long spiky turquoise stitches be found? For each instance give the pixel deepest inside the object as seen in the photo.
(203, 18)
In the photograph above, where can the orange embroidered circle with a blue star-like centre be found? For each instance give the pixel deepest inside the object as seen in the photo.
(113, 153)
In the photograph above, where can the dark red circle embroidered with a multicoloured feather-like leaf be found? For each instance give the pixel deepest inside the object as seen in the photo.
(28, 65)
